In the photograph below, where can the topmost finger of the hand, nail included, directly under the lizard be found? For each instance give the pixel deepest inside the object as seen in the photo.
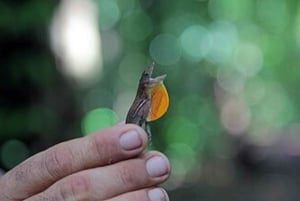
(106, 146)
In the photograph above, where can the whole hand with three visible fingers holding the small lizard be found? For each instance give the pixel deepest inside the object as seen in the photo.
(109, 165)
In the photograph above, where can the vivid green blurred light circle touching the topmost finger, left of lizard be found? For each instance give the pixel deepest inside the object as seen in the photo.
(97, 119)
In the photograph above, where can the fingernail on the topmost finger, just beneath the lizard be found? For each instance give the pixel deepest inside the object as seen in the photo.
(131, 140)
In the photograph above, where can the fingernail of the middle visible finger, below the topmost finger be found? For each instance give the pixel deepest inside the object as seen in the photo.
(157, 166)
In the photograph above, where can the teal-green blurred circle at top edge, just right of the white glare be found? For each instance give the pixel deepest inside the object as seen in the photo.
(109, 13)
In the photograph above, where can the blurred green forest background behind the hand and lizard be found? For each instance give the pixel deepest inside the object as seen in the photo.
(232, 131)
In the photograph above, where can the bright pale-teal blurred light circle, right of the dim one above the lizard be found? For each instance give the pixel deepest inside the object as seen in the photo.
(195, 42)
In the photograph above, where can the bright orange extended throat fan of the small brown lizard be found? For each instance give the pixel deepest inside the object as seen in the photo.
(159, 102)
